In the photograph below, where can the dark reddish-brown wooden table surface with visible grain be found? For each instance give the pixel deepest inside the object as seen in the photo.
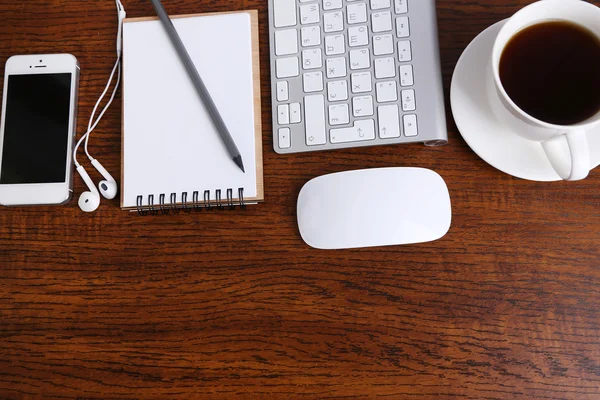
(234, 304)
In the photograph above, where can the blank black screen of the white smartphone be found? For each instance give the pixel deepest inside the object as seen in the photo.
(36, 129)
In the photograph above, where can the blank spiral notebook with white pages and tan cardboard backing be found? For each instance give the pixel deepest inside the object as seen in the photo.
(173, 158)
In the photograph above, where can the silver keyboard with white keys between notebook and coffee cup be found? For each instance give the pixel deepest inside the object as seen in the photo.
(348, 73)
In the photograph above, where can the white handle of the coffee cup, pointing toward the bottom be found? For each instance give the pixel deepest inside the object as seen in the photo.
(580, 155)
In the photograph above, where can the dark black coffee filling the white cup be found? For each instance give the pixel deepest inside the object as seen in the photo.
(552, 72)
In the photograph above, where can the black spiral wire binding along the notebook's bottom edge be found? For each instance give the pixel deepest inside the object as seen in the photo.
(165, 208)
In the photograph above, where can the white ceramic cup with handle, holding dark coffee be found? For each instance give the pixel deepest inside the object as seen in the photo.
(566, 146)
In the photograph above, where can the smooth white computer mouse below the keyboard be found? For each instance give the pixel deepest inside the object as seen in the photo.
(374, 207)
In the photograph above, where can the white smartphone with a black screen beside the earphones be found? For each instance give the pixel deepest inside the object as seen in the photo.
(37, 130)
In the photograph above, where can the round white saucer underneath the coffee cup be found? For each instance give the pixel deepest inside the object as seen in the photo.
(485, 135)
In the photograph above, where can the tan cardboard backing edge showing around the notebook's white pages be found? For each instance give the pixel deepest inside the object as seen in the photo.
(257, 101)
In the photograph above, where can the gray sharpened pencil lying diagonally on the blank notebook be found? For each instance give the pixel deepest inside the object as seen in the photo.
(200, 88)
